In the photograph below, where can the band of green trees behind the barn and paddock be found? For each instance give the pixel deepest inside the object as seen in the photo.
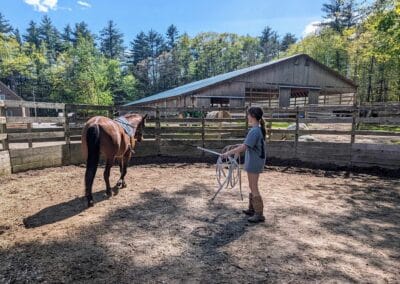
(360, 42)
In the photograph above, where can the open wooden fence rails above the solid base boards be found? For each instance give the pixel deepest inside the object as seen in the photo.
(49, 122)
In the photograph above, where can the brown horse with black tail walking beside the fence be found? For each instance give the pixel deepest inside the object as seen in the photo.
(102, 135)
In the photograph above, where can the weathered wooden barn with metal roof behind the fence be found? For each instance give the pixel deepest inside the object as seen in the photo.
(292, 81)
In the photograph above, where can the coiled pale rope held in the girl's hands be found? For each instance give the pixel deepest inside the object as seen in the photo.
(227, 170)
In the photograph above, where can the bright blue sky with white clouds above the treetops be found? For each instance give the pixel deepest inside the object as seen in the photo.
(132, 16)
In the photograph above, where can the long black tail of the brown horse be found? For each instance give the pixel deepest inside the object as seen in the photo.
(93, 156)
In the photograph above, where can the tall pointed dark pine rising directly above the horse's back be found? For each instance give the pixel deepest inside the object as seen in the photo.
(111, 41)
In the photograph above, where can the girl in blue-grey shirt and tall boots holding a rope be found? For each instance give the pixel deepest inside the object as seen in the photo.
(254, 145)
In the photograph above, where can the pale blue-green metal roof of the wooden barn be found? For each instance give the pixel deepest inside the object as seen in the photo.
(197, 85)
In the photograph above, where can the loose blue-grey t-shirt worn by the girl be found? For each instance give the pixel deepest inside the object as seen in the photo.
(255, 153)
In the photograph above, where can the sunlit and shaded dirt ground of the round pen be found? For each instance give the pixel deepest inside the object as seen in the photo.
(320, 227)
